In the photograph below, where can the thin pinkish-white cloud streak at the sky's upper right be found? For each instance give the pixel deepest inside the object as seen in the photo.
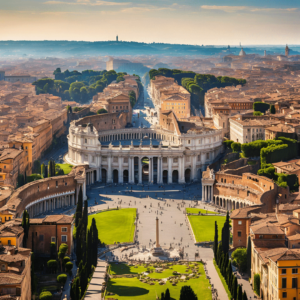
(231, 9)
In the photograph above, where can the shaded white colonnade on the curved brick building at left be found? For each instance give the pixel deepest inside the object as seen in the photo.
(50, 203)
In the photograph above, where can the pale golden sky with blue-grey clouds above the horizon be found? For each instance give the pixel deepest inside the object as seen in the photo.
(196, 22)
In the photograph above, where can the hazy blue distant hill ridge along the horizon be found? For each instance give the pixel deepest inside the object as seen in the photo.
(73, 48)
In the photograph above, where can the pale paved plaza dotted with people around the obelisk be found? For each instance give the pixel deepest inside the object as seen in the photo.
(168, 203)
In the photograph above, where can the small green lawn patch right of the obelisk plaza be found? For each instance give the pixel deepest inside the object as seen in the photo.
(204, 227)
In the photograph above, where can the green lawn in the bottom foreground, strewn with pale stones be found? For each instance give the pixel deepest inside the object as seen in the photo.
(133, 288)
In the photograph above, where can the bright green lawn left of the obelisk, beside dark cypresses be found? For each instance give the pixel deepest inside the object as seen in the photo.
(115, 225)
